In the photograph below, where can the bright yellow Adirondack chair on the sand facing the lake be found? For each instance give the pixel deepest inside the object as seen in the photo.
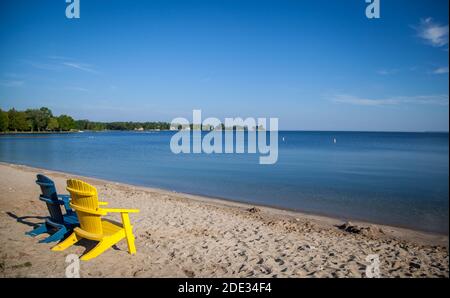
(84, 200)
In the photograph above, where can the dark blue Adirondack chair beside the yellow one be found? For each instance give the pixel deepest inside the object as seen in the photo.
(61, 224)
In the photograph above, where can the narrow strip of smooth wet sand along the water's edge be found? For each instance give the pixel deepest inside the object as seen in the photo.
(420, 236)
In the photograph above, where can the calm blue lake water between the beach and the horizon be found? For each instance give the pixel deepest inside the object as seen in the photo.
(391, 178)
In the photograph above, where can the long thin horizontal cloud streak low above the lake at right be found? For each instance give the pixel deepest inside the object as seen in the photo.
(397, 100)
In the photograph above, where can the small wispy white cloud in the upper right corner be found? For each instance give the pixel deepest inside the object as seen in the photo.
(433, 33)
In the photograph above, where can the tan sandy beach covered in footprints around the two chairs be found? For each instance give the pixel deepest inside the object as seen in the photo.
(180, 235)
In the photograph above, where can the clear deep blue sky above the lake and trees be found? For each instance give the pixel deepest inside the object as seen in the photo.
(317, 65)
